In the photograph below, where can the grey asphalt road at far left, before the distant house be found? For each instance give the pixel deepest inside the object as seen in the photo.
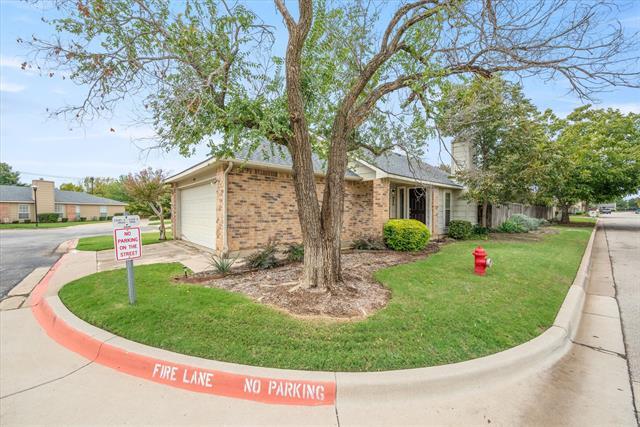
(22, 250)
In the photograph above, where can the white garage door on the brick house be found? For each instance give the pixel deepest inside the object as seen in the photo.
(198, 215)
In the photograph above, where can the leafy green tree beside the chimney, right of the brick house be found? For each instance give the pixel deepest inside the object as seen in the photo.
(501, 128)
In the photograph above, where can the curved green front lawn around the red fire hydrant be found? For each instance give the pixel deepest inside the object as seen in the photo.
(440, 312)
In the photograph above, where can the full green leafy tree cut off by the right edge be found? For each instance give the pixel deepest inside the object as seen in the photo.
(594, 157)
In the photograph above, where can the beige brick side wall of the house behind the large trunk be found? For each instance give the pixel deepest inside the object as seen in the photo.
(262, 206)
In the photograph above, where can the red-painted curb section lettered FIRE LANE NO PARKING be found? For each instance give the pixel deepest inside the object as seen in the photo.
(260, 389)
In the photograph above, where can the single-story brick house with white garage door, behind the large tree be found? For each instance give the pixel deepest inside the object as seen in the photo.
(240, 204)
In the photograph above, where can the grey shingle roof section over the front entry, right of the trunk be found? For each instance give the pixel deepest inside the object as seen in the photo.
(399, 164)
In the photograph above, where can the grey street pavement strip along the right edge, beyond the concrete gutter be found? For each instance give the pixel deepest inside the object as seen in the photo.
(622, 231)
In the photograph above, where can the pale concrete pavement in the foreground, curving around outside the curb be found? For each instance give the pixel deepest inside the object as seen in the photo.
(44, 383)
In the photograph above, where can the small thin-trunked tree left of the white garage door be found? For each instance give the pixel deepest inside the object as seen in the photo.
(147, 187)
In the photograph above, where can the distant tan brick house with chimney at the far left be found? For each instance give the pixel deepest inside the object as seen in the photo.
(17, 203)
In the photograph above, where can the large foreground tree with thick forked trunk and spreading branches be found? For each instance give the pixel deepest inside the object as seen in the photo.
(355, 77)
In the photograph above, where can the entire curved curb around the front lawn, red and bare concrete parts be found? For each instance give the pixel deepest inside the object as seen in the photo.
(291, 387)
